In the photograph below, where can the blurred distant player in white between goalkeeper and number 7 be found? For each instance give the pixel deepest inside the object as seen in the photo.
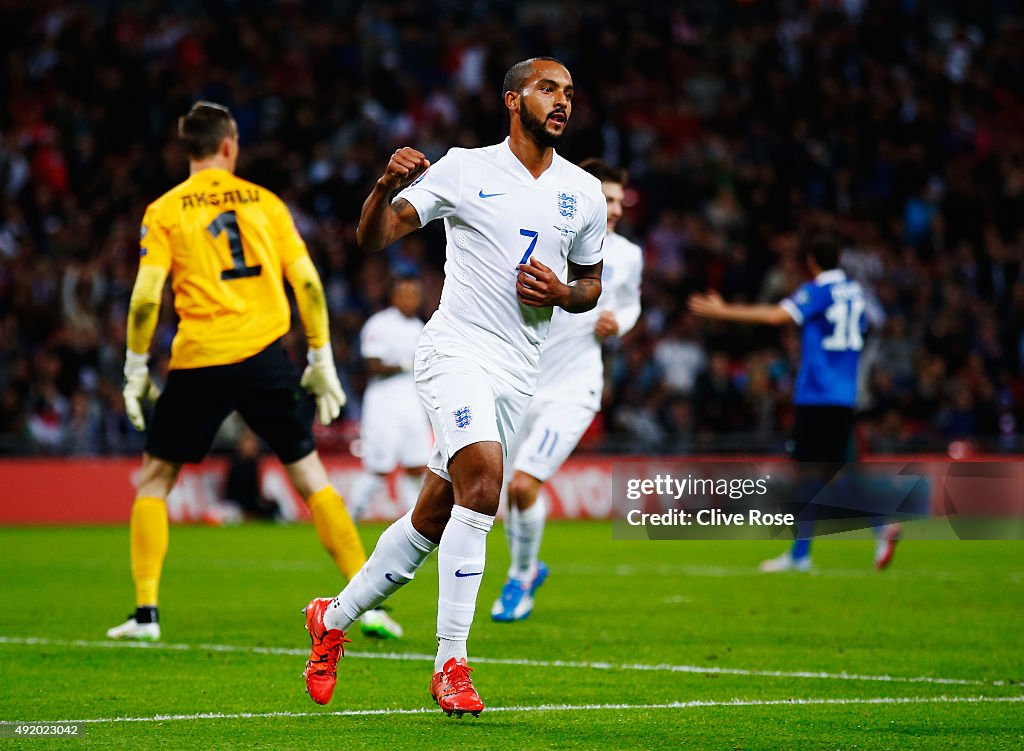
(395, 431)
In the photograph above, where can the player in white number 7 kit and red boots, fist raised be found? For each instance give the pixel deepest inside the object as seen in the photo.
(519, 219)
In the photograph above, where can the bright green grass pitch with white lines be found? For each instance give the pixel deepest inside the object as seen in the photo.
(633, 646)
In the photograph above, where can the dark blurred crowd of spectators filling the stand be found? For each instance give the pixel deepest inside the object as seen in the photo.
(898, 124)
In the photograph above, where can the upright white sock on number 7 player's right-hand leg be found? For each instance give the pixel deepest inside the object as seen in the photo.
(460, 568)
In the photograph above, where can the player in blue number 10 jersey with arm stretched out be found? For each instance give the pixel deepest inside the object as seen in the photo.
(830, 311)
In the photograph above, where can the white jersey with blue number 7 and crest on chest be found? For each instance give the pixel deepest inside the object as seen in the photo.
(497, 216)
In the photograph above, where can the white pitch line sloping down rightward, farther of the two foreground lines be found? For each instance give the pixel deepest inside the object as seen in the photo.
(417, 657)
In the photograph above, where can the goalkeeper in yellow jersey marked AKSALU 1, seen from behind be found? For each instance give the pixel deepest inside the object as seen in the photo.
(228, 245)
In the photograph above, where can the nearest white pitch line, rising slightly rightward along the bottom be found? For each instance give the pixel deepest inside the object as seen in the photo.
(545, 708)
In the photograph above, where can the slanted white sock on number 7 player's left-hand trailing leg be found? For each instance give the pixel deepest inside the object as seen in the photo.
(400, 553)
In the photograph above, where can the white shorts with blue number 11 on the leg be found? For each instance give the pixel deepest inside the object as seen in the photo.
(549, 434)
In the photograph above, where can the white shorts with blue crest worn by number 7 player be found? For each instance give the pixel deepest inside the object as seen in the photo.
(466, 405)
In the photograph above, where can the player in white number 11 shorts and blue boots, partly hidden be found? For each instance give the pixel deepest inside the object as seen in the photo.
(569, 395)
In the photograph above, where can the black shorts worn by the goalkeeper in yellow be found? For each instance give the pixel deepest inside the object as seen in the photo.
(264, 389)
